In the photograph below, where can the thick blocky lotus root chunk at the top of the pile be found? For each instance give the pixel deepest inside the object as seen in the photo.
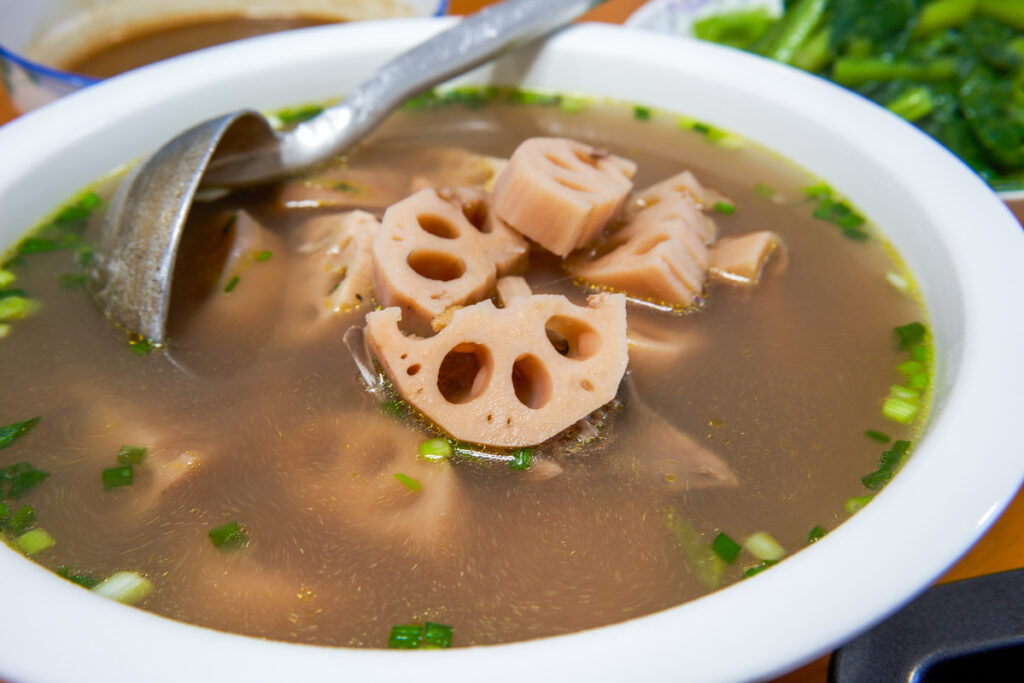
(561, 193)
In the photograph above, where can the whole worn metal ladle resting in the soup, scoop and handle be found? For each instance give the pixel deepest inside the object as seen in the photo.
(136, 255)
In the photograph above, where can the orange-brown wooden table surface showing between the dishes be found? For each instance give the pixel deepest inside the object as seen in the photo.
(1001, 549)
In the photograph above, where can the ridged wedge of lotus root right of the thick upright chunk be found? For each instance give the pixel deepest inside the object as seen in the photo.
(660, 255)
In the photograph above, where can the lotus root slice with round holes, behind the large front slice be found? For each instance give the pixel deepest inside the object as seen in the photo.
(442, 248)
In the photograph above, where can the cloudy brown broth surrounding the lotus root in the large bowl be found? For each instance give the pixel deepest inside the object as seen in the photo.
(251, 417)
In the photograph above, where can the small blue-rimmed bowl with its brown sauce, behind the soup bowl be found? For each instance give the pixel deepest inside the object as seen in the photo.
(50, 49)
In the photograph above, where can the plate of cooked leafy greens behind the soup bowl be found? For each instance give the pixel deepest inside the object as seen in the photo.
(953, 68)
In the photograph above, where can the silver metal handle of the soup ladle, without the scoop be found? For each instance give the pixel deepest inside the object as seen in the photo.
(476, 40)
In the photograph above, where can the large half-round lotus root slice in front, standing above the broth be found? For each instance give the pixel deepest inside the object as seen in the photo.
(508, 377)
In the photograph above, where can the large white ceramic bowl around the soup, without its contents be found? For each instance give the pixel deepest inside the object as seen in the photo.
(963, 244)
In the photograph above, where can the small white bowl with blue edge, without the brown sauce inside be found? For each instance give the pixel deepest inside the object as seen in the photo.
(36, 35)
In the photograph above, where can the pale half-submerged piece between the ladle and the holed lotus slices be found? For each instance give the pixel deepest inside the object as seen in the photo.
(334, 271)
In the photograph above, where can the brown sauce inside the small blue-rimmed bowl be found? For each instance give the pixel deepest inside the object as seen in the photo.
(146, 45)
